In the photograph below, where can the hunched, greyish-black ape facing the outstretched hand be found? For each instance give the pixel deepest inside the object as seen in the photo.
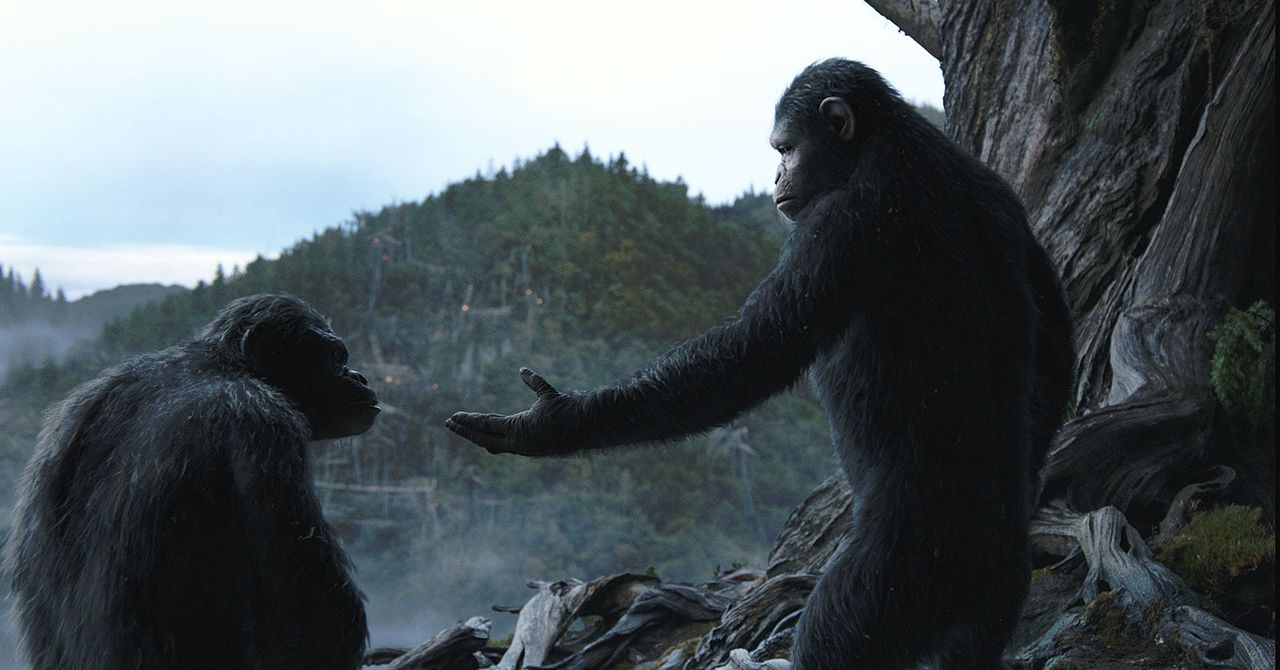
(168, 518)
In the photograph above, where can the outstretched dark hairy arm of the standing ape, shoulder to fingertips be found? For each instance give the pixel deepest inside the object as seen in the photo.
(798, 311)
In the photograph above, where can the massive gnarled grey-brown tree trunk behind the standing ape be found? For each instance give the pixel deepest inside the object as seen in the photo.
(1141, 138)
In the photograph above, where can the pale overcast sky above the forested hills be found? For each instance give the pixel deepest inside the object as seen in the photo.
(148, 142)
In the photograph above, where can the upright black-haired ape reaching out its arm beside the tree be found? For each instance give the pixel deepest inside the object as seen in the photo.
(940, 347)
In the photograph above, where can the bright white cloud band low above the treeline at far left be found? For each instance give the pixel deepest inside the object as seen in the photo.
(81, 271)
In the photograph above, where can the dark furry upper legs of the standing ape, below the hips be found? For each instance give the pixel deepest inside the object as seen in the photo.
(885, 608)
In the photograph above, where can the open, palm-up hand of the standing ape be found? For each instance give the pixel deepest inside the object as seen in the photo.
(540, 431)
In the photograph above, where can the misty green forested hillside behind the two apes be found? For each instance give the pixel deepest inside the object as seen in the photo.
(580, 268)
